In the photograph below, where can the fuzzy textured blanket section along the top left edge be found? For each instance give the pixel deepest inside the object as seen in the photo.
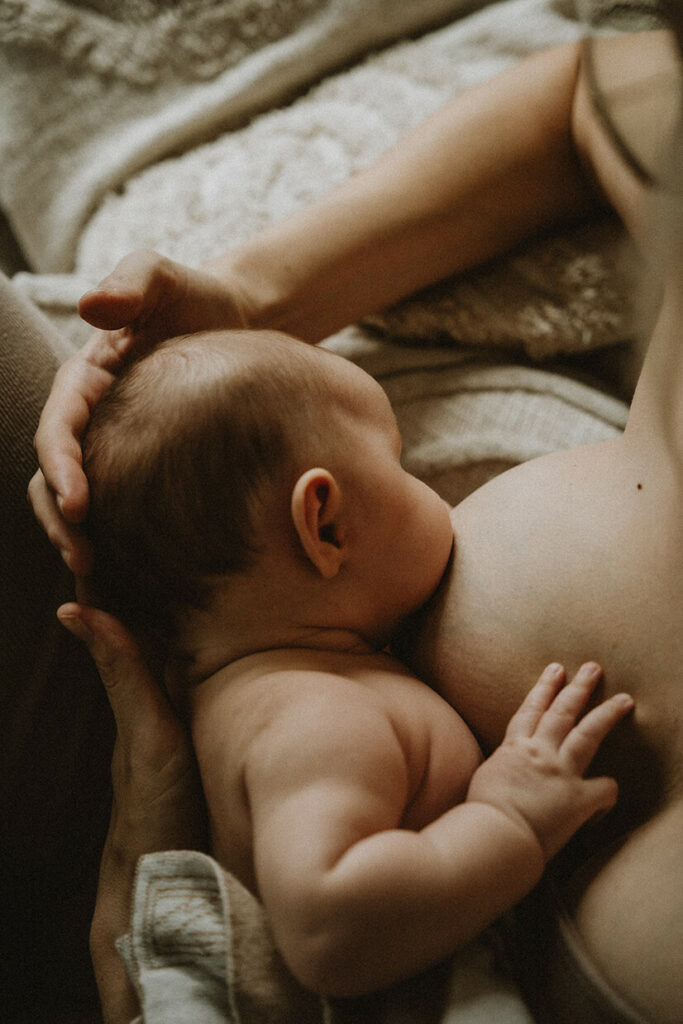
(141, 41)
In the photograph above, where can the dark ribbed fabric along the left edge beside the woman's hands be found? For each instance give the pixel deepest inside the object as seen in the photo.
(56, 730)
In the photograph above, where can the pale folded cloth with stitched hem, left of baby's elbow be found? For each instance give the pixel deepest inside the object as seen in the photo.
(200, 950)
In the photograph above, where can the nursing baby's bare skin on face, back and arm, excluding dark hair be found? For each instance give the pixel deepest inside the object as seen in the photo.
(341, 790)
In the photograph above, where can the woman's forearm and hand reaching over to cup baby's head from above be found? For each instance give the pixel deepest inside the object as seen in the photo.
(492, 167)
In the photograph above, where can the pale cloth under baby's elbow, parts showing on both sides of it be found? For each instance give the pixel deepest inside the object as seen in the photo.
(200, 950)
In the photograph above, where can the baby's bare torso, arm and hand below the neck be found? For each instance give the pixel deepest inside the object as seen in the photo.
(354, 801)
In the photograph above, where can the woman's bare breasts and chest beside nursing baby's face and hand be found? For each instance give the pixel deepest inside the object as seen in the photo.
(576, 556)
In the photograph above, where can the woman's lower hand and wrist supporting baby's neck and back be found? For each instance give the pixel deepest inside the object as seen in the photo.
(158, 803)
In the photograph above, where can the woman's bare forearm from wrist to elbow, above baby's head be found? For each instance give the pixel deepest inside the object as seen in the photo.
(491, 168)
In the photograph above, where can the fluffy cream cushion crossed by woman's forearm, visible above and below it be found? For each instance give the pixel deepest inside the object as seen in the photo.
(566, 293)
